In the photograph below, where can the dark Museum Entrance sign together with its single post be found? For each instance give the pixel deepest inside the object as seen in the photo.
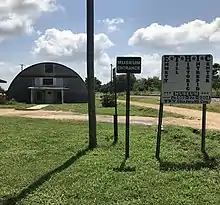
(128, 65)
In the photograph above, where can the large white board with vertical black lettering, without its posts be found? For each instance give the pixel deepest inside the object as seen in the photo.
(186, 79)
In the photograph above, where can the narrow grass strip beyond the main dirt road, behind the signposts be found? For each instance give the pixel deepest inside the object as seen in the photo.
(134, 110)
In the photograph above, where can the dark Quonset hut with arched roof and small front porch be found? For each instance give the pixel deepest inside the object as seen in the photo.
(48, 83)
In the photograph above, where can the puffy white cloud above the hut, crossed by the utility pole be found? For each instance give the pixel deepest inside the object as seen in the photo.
(66, 45)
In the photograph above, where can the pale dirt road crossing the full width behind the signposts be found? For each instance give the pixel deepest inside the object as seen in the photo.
(60, 115)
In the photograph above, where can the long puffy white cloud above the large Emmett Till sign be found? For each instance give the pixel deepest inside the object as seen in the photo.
(193, 36)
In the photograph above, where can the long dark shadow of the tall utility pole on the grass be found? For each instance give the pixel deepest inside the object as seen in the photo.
(13, 200)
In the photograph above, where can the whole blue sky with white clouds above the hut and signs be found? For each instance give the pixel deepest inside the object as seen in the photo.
(33, 31)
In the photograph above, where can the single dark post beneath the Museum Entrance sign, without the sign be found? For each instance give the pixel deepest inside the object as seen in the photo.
(127, 128)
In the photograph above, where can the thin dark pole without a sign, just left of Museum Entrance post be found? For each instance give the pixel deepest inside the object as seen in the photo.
(116, 109)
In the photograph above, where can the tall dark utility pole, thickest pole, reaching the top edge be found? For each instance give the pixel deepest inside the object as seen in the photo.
(90, 74)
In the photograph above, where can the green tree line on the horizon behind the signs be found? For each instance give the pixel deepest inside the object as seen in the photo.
(151, 84)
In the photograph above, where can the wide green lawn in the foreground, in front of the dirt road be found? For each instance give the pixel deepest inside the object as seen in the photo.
(46, 162)
